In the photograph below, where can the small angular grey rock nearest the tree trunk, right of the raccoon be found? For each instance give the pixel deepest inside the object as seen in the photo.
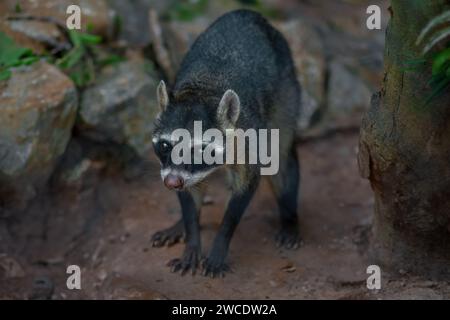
(348, 97)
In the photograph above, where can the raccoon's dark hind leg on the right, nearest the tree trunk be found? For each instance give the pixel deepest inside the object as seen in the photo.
(285, 185)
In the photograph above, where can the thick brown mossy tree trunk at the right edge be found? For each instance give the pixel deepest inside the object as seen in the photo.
(405, 153)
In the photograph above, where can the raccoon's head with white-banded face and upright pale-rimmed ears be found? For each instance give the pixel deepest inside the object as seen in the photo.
(185, 115)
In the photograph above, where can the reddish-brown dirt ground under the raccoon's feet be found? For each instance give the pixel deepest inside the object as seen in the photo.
(118, 262)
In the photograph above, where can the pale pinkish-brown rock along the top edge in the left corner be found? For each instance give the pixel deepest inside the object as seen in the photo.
(95, 15)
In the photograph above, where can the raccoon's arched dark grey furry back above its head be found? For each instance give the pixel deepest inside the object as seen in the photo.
(240, 51)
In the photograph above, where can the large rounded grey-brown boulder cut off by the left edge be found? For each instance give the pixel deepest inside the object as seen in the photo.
(38, 107)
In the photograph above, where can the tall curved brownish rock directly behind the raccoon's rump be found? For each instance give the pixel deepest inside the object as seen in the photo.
(310, 62)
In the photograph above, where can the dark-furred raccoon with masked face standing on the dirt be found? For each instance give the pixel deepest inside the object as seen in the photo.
(239, 73)
